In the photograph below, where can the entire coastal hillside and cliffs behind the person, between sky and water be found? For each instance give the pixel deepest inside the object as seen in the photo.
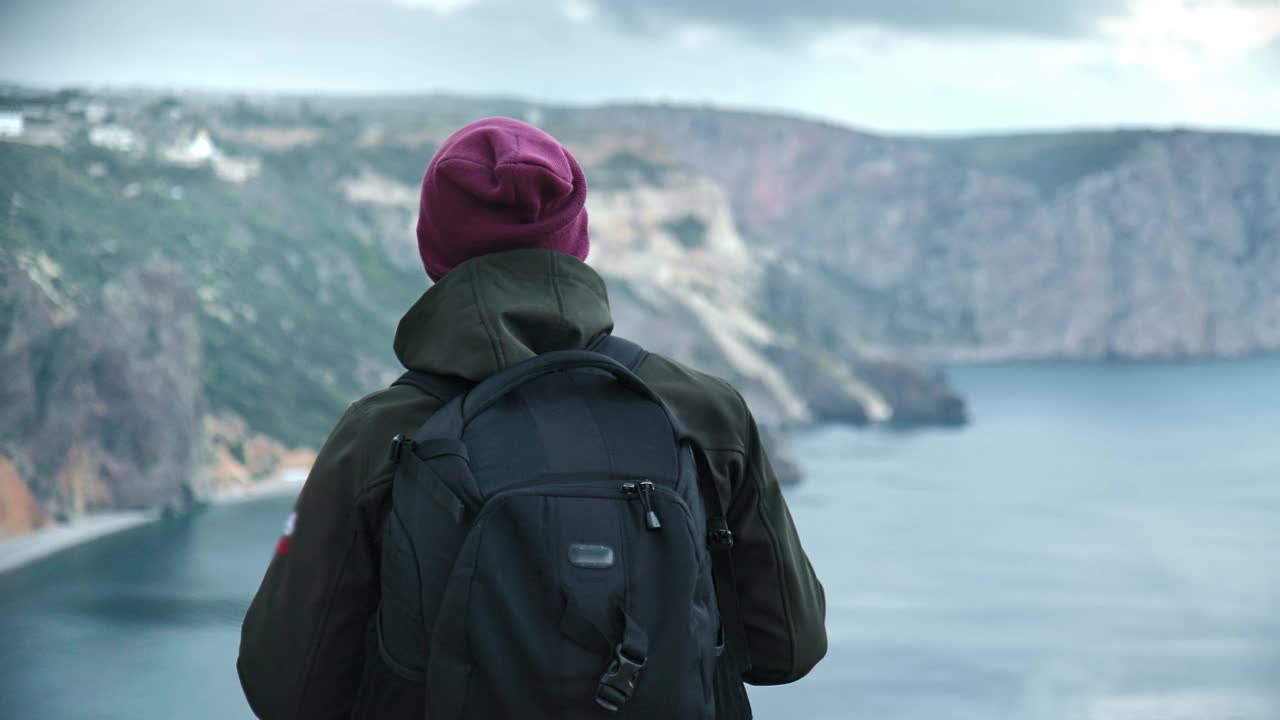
(193, 288)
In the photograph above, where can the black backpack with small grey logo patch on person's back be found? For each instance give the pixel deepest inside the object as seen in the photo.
(548, 555)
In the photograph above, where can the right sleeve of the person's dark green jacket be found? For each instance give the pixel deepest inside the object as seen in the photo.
(784, 605)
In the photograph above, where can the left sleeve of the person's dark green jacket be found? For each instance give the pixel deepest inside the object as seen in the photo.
(303, 642)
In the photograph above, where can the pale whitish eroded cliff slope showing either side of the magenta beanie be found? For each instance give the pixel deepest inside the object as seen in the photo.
(683, 281)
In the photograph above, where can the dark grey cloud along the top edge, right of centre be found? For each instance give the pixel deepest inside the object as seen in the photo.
(766, 19)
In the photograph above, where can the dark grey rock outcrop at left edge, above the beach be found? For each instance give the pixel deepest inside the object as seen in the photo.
(103, 402)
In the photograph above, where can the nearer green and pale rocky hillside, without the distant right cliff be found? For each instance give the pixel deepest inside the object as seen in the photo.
(193, 289)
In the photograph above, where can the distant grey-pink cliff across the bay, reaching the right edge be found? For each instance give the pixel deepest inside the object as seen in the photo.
(1089, 245)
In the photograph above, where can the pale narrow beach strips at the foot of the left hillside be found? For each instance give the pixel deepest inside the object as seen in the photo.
(24, 550)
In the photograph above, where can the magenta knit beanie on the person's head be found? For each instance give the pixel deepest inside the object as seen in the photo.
(500, 185)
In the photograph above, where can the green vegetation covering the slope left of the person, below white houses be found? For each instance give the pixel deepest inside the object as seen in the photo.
(296, 316)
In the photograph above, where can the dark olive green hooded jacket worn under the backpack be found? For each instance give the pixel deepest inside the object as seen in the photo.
(304, 637)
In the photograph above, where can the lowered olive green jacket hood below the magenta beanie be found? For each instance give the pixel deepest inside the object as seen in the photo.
(501, 309)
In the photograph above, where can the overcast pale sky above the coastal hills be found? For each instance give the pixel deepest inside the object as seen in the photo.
(890, 66)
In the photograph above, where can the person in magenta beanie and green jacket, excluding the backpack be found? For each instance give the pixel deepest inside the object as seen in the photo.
(504, 234)
